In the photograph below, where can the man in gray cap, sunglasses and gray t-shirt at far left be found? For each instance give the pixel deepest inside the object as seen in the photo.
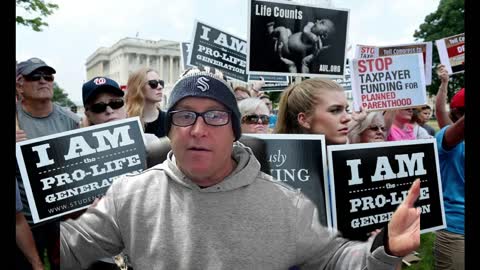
(38, 116)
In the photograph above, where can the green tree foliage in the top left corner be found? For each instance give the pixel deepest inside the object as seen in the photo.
(38, 9)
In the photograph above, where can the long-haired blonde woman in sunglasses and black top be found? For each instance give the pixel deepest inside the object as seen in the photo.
(144, 94)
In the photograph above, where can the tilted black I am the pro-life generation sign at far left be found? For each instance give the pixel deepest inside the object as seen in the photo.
(65, 172)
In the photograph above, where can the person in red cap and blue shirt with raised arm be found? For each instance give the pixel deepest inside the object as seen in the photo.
(449, 245)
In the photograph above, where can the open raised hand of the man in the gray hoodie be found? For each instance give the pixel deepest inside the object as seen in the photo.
(404, 227)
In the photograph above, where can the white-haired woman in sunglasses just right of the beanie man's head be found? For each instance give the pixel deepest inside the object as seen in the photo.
(255, 115)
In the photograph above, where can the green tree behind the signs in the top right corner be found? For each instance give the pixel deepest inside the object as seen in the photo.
(447, 21)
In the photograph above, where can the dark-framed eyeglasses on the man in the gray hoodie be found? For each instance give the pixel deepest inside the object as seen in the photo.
(187, 118)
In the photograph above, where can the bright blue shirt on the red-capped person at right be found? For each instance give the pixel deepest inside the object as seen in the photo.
(452, 171)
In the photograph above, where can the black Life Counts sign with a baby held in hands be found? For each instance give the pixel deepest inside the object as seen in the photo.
(289, 38)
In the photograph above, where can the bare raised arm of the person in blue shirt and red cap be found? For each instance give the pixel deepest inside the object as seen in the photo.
(441, 99)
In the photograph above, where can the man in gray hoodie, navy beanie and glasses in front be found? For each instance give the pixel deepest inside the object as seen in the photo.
(208, 206)
